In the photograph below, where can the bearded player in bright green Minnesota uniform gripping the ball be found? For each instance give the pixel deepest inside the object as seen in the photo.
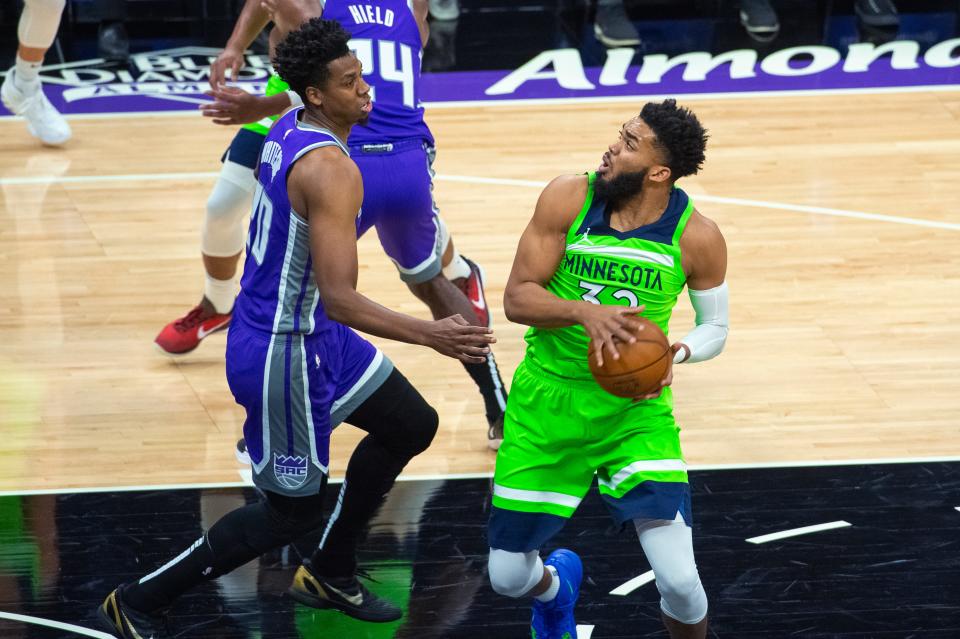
(600, 249)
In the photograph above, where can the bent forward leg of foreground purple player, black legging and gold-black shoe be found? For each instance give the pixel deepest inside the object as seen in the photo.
(373, 396)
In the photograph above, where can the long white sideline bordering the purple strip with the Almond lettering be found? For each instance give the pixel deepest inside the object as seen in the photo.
(616, 99)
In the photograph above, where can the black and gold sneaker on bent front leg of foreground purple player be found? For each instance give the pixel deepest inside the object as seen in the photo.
(348, 596)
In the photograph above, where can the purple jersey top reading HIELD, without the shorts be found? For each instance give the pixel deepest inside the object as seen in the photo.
(386, 39)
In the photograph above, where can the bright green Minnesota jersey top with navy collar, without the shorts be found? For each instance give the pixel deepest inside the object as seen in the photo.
(604, 266)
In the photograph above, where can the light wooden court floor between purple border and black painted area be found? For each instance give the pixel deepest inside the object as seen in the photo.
(845, 327)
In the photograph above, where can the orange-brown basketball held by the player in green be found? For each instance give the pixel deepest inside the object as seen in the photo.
(641, 366)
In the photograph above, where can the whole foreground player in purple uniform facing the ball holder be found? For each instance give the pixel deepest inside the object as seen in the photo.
(296, 367)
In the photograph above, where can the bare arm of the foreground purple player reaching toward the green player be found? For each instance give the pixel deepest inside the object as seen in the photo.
(326, 187)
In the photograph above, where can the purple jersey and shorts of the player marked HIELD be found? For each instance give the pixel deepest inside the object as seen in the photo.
(394, 150)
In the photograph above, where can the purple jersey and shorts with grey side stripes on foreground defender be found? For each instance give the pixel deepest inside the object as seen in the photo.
(295, 371)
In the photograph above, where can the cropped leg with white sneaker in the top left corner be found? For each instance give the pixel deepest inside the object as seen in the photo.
(21, 91)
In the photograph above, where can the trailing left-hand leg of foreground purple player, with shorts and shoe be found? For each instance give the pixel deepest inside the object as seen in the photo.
(291, 473)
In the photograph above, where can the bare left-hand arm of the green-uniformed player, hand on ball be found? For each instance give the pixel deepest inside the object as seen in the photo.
(526, 299)
